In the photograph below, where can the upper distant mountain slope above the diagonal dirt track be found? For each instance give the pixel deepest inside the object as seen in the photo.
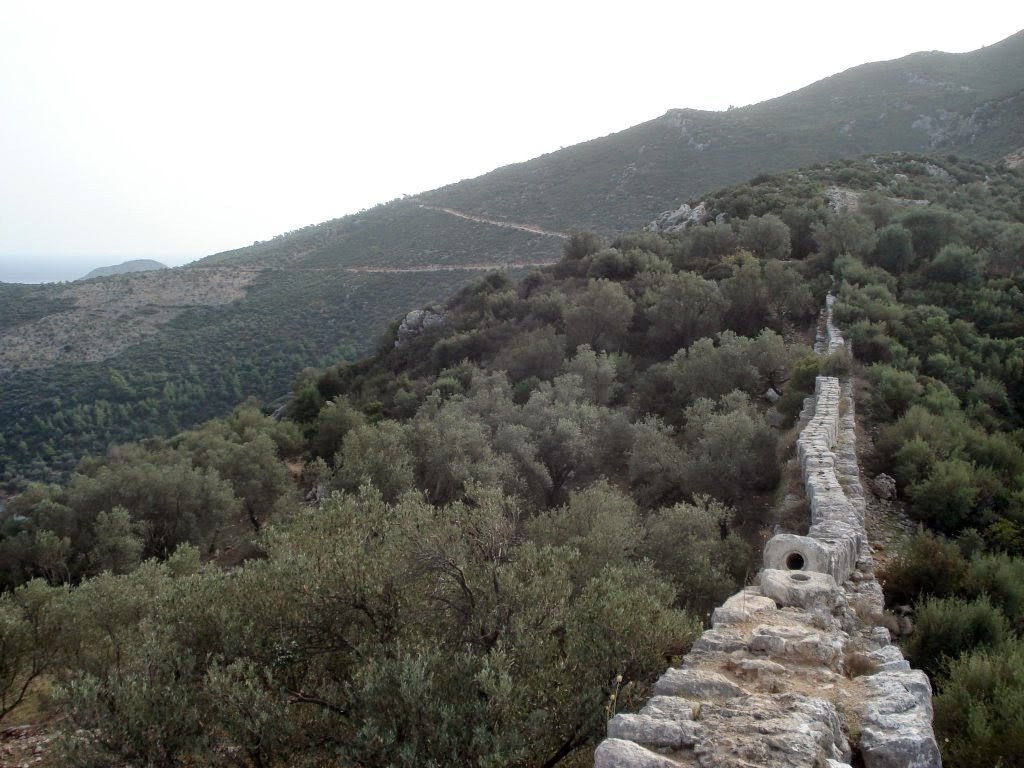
(968, 104)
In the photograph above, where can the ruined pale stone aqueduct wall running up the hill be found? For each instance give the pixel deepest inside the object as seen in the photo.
(794, 671)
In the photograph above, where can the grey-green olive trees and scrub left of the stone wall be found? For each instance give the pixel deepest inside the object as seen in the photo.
(517, 517)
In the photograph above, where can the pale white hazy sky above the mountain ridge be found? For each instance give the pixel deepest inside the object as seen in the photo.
(185, 129)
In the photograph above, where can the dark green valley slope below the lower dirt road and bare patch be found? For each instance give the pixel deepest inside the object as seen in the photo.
(202, 365)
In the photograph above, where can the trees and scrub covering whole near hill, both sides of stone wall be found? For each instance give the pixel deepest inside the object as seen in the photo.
(474, 545)
